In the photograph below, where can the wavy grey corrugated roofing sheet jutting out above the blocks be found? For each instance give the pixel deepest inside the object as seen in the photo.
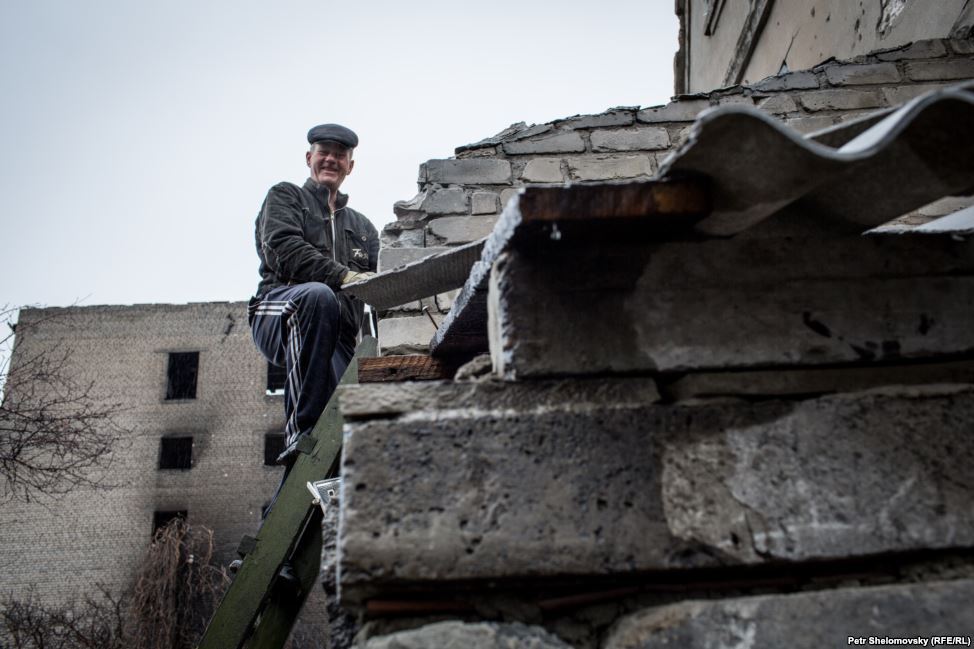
(757, 165)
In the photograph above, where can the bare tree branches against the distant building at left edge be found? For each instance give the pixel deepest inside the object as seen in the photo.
(55, 434)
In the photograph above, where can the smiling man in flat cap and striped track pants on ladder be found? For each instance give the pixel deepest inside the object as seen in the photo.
(310, 244)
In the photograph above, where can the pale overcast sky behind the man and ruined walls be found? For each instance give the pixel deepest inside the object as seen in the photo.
(139, 139)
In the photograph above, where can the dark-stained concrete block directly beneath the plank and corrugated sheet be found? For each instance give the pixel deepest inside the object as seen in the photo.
(654, 308)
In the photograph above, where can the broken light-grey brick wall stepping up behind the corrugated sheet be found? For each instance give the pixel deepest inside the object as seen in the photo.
(460, 198)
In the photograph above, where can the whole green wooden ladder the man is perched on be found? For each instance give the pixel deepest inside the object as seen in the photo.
(259, 609)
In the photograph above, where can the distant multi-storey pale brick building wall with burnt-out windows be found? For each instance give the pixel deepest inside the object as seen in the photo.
(65, 546)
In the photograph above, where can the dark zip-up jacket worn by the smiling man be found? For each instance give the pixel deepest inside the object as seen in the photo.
(294, 241)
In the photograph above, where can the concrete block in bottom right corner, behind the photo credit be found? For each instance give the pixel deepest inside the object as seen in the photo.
(905, 613)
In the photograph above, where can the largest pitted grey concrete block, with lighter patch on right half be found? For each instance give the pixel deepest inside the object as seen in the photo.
(587, 489)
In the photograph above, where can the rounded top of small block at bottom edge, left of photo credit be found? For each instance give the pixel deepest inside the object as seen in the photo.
(481, 635)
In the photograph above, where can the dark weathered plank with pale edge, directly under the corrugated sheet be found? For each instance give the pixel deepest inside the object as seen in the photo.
(559, 217)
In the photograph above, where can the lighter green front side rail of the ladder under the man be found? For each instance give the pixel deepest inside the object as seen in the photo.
(279, 535)
